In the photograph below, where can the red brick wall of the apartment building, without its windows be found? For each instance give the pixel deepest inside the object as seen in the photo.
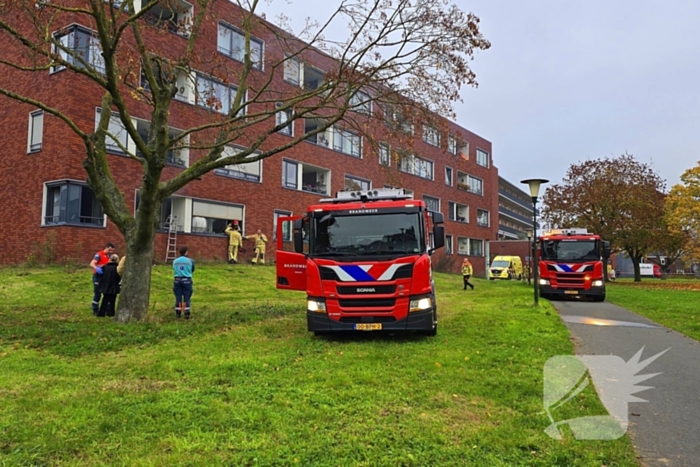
(23, 175)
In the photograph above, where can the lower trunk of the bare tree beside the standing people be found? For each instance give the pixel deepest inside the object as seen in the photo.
(136, 283)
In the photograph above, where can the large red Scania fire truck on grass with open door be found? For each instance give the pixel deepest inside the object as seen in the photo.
(363, 259)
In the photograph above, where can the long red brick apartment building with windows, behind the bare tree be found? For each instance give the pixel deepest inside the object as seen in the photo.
(46, 207)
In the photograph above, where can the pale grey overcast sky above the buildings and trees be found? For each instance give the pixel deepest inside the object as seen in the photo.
(565, 81)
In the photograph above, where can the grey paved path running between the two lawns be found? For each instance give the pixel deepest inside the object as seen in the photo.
(666, 430)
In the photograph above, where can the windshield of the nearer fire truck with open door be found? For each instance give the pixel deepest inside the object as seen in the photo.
(383, 234)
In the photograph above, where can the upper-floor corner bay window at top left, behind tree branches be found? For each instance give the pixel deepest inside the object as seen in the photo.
(79, 47)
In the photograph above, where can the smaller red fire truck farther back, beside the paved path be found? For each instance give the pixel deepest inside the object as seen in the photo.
(571, 264)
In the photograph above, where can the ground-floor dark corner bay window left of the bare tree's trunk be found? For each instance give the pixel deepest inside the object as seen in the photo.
(72, 203)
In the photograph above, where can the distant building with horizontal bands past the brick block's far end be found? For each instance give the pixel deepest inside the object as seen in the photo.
(514, 211)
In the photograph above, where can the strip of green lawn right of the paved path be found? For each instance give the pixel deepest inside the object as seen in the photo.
(673, 303)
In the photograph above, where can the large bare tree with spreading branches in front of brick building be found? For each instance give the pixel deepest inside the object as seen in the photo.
(409, 57)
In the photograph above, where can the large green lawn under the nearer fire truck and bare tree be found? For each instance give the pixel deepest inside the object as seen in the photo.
(243, 383)
